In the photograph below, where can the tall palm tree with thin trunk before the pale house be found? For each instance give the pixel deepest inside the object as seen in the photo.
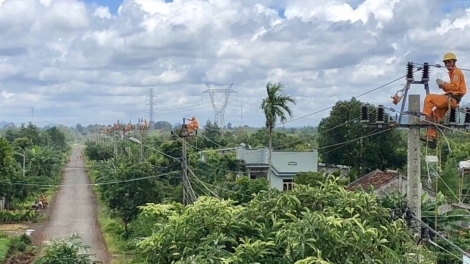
(275, 106)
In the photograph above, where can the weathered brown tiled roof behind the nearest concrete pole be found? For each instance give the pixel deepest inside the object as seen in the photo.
(385, 183)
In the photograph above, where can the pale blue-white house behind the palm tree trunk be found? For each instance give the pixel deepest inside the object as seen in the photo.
(285, 164)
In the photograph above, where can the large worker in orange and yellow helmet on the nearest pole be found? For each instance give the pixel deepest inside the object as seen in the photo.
(453, 93)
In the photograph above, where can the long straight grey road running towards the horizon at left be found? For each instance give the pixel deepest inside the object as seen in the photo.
(74, 210)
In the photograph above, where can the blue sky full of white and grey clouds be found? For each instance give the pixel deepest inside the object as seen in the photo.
(94, 61)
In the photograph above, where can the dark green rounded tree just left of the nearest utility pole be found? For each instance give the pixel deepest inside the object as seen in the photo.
(383, 151)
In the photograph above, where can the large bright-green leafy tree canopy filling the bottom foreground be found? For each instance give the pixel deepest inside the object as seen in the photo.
(348, 227)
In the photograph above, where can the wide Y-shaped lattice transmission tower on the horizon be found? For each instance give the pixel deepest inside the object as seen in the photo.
(219, 103)
